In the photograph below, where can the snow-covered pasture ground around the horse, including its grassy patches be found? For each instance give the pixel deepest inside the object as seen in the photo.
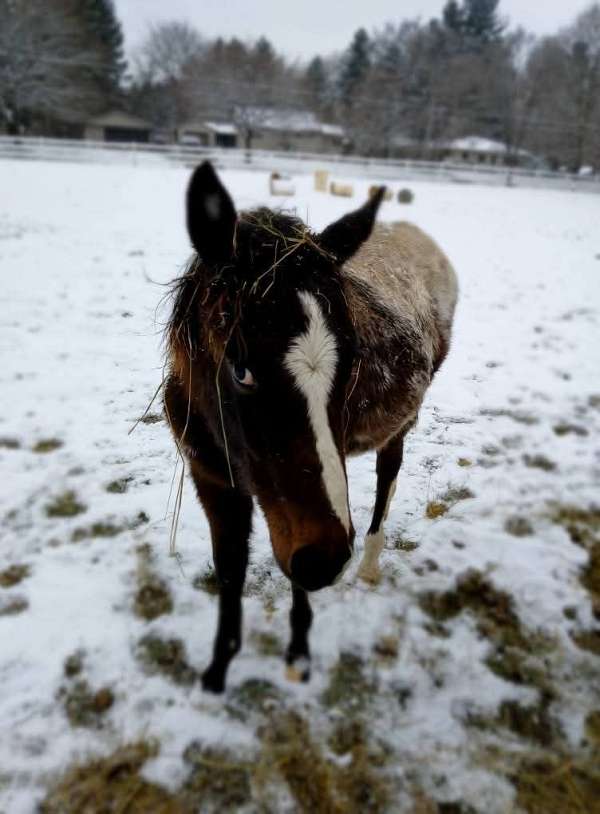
(456, 682)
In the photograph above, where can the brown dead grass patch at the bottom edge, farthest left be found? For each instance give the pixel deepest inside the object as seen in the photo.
(112, 784)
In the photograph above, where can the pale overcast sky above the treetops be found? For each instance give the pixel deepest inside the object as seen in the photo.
(303, 28)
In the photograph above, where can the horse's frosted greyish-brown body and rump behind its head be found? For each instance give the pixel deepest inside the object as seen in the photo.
(401, 290)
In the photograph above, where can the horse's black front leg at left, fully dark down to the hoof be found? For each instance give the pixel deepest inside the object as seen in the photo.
(229, 513)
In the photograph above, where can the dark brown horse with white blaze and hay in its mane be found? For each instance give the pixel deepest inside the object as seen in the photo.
(288, 351)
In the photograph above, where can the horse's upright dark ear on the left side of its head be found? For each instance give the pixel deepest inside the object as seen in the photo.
(211, 216)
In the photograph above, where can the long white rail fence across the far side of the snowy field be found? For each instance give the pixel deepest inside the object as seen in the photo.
(44, 149)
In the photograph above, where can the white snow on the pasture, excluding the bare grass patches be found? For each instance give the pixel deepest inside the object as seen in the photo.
(84, 253)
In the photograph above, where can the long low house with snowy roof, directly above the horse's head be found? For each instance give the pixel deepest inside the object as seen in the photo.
(269, 128)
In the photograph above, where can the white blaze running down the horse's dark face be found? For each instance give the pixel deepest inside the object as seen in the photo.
(311, 361)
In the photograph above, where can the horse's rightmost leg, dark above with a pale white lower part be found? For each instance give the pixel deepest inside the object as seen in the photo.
(389, 460)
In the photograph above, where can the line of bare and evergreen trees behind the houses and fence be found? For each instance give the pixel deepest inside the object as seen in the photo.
(407, 86)
